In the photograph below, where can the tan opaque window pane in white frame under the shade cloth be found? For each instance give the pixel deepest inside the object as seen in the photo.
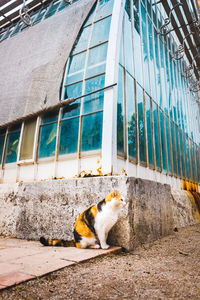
(28, 140)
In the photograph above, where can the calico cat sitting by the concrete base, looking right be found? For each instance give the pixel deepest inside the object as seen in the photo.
(93, 225)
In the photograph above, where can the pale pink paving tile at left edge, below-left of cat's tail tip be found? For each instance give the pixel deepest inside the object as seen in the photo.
(14, 253)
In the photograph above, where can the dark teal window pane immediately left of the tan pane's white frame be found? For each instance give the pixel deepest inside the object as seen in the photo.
(12, 144)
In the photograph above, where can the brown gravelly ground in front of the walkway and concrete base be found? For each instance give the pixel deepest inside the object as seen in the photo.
(165, 269)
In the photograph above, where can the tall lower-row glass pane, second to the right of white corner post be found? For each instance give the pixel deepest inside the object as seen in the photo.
(131, 117)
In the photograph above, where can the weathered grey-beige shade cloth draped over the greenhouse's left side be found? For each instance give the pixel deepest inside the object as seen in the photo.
(33, 63)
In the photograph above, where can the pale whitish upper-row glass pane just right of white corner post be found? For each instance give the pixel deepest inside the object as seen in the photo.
(128, 44)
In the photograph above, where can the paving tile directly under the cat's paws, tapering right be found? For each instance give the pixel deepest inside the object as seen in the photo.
(78, 255)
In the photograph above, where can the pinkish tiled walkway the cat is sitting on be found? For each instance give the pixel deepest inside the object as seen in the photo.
(22, 260)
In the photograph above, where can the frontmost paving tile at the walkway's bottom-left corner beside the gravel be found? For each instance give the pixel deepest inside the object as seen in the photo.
(14, 278)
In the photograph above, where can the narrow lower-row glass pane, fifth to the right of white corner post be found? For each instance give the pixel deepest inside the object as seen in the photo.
(156, 136)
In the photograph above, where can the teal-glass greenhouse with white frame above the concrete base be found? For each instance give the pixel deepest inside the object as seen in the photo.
(94, 88)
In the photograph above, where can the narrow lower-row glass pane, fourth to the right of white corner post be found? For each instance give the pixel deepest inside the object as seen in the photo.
(149, 132)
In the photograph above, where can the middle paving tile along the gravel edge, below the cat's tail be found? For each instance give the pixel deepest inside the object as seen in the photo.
(42, 269)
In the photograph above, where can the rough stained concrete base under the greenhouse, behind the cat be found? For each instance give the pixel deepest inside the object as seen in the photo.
(50, 208)
